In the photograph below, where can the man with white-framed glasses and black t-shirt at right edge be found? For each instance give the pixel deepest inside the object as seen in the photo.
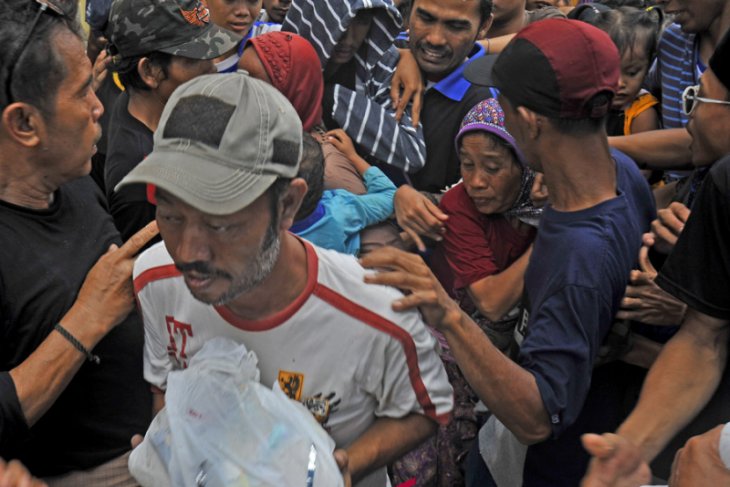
(690, 367)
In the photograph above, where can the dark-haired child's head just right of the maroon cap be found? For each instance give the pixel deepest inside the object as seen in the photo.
(635, 34)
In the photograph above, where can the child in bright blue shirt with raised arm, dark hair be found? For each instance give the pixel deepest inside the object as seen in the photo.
(333, 219)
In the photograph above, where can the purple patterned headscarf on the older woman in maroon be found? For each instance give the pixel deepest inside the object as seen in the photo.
(488, 116)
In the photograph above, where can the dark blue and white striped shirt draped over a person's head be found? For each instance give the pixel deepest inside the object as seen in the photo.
(365, 113)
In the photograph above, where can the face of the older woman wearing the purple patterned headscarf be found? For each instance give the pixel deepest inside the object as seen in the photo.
(491, 173)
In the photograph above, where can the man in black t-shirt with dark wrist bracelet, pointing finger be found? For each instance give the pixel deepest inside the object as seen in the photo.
(71, 388)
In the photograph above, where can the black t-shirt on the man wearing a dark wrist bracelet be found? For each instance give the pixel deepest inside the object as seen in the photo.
(44, 258)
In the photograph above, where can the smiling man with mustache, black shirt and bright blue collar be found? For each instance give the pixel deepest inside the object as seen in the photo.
(443, 36)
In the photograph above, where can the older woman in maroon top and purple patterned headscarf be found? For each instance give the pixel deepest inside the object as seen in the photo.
(481, 262)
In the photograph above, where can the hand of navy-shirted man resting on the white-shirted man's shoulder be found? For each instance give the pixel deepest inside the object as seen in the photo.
(409, 273)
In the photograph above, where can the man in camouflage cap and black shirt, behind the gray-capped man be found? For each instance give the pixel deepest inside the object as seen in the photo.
(157, 45)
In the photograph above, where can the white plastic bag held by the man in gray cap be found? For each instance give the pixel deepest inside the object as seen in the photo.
(222, 428)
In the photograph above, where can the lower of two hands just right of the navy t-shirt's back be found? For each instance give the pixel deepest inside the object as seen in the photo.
(646, 302)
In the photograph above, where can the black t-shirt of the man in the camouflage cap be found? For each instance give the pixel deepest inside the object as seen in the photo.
(130, 141)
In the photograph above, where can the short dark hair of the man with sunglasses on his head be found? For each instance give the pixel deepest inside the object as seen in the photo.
(39, 71)
